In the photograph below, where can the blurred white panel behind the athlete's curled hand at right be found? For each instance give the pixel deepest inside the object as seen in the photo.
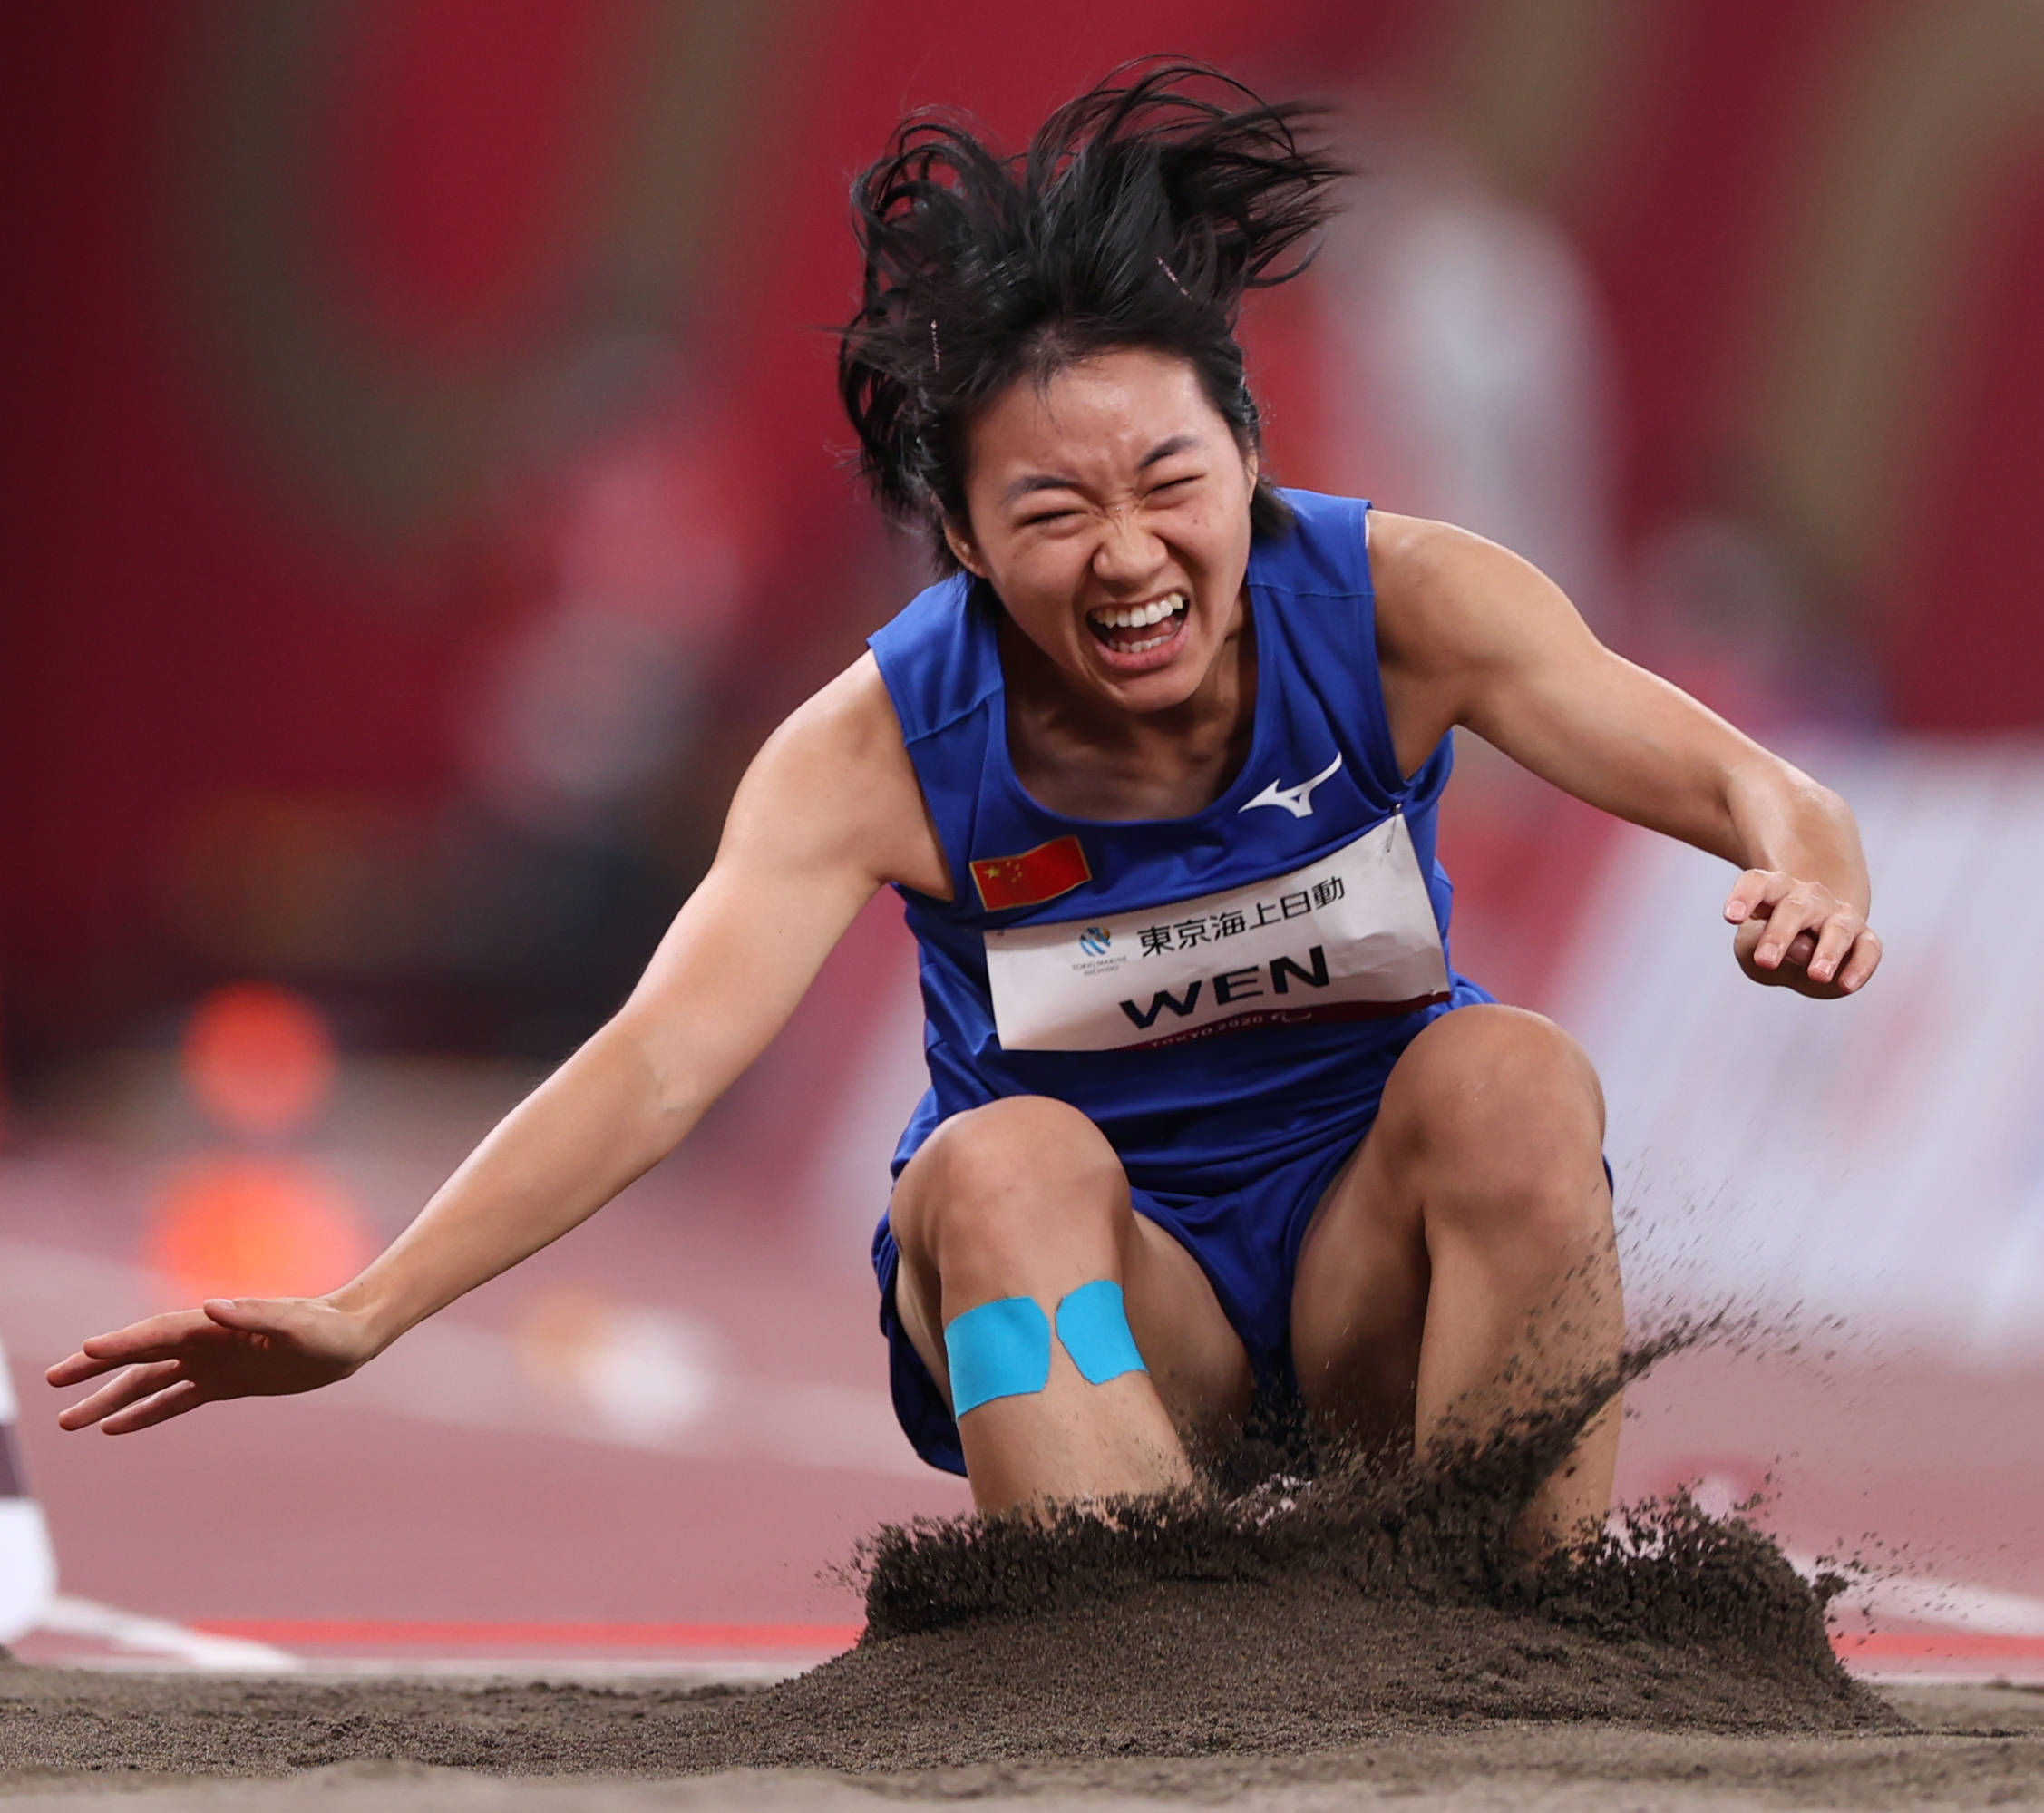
(1877, 1160)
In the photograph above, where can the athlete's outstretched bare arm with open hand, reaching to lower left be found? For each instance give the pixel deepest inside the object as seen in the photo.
(825, 817)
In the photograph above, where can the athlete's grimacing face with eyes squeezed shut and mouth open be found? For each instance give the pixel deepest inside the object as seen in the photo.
(1113, 494)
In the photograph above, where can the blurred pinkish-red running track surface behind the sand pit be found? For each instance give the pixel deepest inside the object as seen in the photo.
(355, 1524)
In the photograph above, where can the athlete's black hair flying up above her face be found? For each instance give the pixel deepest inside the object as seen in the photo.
(1140, 218)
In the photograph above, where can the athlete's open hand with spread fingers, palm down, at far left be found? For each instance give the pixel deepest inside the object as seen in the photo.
(240, 1348)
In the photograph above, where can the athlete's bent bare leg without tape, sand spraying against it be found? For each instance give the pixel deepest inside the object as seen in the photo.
(1462, 1264)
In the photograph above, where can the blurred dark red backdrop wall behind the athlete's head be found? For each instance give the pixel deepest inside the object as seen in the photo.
(351, 340)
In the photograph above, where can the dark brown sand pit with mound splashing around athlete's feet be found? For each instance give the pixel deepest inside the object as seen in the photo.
(1366, 1634)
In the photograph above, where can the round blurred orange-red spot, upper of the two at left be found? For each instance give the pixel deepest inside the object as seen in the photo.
(259, 1060)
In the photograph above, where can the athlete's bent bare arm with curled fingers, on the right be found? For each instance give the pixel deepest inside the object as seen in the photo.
(1473, 635)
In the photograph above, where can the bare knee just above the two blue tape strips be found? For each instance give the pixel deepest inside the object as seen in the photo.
(994, 1182)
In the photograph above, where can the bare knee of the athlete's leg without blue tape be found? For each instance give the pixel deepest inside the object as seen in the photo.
(1501, 1119)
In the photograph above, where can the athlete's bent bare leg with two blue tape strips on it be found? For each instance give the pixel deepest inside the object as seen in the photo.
(1027, 1199)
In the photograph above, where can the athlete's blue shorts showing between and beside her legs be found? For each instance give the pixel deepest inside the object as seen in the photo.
(1246, 1244)
